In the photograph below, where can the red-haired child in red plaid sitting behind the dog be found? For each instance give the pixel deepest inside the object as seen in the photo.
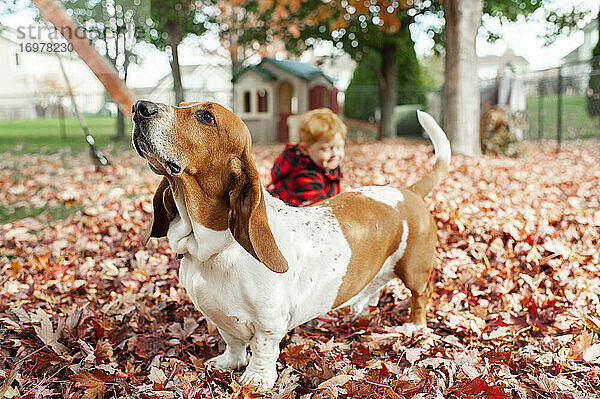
(309, 172)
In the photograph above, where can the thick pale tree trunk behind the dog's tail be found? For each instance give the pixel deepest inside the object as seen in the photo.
(461, 88)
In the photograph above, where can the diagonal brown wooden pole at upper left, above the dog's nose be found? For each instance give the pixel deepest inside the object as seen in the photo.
(54, 12)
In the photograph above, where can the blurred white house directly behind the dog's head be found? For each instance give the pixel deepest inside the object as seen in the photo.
(202, 82)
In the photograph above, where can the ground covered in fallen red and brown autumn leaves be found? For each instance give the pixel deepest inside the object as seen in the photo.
(86, 311)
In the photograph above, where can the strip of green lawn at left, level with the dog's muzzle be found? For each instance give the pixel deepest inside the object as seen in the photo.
(45, 135)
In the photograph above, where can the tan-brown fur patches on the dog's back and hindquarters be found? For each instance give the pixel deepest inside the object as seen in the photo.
(374, 232)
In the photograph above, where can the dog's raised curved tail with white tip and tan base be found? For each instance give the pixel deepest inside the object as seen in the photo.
(441, 146)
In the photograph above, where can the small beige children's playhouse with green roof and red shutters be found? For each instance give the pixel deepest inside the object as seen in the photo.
(267, 94)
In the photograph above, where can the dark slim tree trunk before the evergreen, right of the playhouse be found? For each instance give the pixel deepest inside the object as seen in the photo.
(388, 91)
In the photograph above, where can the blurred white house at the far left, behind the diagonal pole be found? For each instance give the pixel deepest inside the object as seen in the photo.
(31, 82)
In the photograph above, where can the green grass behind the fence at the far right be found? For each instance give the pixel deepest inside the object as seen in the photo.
(576, 122)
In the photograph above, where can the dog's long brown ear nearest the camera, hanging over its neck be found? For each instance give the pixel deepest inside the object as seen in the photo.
(248, 214)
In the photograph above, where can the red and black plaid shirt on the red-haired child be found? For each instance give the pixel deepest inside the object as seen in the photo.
(298, 181)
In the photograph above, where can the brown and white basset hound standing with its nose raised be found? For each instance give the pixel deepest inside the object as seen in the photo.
(256, 267)
